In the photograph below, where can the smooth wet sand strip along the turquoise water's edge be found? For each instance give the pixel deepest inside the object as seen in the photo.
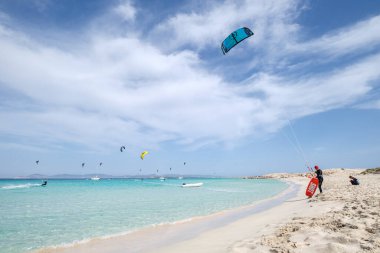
(182, 229)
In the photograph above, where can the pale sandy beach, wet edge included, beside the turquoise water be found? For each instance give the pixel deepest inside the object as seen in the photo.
(344, 218)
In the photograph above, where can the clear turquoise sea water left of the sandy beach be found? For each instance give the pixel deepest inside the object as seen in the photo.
(68, 211)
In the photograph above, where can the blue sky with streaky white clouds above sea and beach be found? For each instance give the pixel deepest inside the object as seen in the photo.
(79, 79)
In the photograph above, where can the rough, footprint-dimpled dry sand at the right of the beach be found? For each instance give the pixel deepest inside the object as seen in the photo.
(351, 224)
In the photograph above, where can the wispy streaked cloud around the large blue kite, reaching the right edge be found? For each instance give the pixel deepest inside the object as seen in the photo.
(278, 38)
